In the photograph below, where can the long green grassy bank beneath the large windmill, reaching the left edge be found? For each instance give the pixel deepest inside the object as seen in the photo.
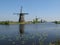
(11, 22)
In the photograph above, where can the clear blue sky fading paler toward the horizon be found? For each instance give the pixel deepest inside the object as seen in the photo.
(48, 10)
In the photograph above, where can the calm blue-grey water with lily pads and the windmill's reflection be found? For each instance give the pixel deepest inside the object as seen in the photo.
(29, 34)
